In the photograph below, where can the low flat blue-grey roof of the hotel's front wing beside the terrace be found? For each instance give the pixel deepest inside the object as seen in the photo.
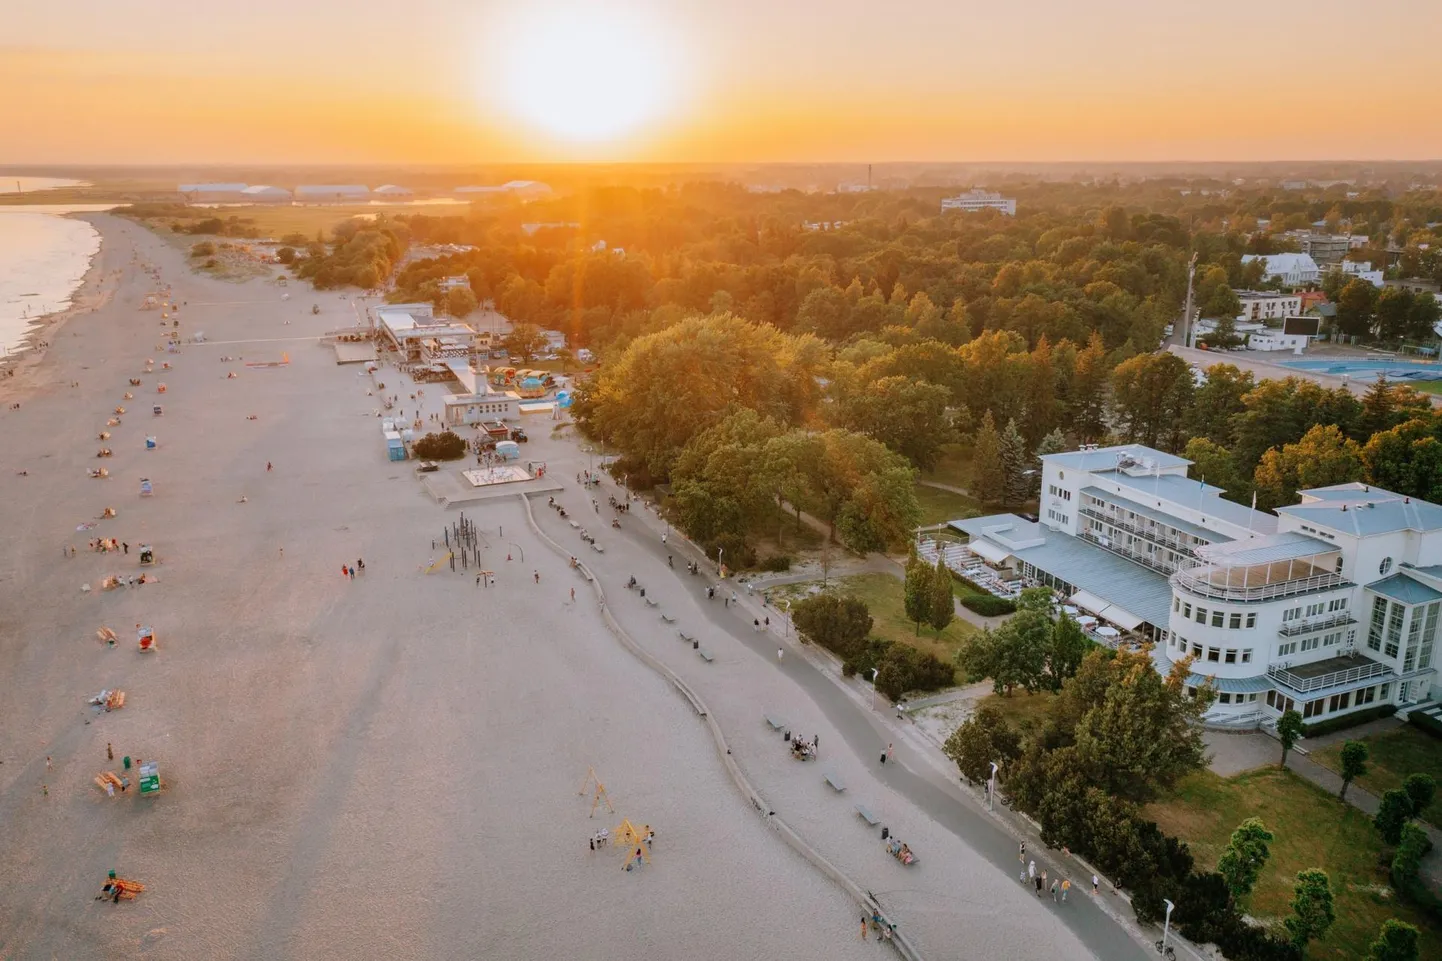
(1100, 572)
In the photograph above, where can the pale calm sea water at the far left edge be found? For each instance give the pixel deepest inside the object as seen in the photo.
(44, 258)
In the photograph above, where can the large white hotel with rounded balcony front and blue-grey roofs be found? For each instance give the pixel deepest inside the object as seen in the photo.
(1329, 607)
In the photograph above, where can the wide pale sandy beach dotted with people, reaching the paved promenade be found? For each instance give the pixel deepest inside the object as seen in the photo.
(387, 765)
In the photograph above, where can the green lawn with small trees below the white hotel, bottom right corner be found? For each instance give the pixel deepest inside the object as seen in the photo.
(1313, 830)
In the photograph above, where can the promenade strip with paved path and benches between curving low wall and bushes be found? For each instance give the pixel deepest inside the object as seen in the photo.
(919, 777)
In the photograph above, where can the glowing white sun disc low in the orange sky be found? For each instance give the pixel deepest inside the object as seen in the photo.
(585, 76)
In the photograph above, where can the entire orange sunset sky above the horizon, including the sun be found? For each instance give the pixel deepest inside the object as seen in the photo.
(455, 82)
